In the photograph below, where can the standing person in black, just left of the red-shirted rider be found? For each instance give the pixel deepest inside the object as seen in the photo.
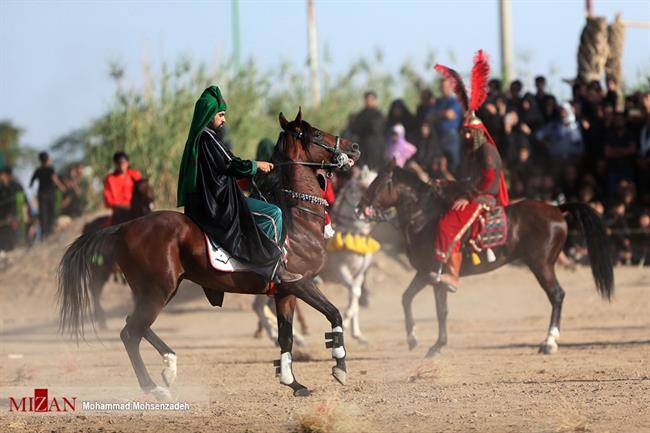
(48, 182)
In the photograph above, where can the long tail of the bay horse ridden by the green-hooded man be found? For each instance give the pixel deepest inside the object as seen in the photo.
(75, 278)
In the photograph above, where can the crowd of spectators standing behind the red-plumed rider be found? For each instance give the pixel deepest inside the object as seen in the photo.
(593, 148)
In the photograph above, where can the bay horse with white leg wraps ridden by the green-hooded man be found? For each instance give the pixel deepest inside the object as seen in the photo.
(156, 252)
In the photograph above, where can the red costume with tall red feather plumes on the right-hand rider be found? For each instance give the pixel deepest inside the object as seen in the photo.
(486, 186)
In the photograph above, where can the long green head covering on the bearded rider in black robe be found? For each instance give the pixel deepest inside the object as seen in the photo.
(209, 104)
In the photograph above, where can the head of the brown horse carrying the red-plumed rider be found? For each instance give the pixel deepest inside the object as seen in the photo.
(380, 196)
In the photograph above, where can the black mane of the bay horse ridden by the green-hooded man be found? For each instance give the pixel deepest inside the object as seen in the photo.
(271, 184)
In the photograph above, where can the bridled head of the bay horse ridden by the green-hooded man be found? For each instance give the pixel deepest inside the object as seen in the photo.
(304, 143)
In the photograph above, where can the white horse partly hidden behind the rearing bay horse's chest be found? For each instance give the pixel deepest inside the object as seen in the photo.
(344, 266)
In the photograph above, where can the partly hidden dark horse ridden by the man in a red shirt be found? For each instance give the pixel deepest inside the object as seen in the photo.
(141, 204)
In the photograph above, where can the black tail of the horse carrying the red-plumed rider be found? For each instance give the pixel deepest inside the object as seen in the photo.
(598, 249)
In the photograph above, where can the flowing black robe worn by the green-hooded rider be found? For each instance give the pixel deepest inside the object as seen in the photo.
(219, 207)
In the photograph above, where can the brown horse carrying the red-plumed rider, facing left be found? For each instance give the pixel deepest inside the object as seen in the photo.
(536, 234)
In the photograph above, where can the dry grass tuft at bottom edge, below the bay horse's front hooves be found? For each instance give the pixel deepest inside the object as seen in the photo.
(331, 416)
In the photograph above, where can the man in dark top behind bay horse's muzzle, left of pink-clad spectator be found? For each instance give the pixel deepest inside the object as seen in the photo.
(368, 126)
